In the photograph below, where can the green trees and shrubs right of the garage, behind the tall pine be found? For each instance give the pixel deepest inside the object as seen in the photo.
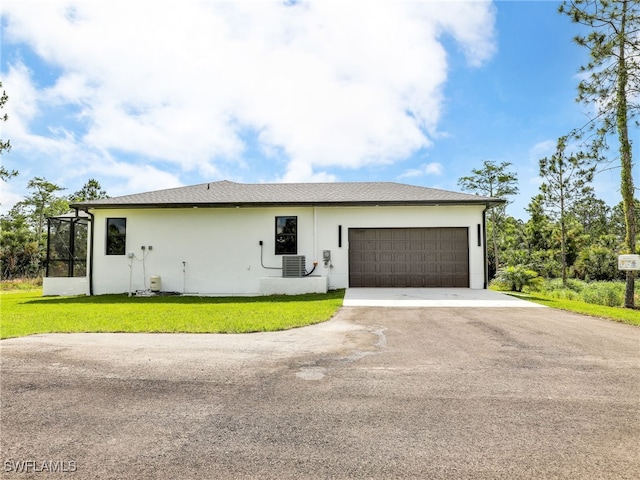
(570, 233)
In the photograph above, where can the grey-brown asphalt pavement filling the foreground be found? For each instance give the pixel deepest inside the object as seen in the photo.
(373, 393)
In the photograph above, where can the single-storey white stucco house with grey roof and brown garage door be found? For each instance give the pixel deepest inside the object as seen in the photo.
(226, 238)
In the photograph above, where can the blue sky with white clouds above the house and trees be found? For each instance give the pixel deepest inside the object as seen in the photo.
(144, 96)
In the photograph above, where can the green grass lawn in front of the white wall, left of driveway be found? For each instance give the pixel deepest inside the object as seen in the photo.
(26, 313)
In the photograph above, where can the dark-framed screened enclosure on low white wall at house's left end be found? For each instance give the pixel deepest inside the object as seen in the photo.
(66, 265)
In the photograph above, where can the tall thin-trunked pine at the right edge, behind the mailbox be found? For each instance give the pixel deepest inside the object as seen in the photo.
(612, 83)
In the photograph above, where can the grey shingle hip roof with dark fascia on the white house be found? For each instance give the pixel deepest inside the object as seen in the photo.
(225, 193)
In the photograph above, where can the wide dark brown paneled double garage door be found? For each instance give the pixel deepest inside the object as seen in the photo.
(408, 257)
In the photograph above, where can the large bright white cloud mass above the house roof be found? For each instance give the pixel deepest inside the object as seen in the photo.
(324, 85)
